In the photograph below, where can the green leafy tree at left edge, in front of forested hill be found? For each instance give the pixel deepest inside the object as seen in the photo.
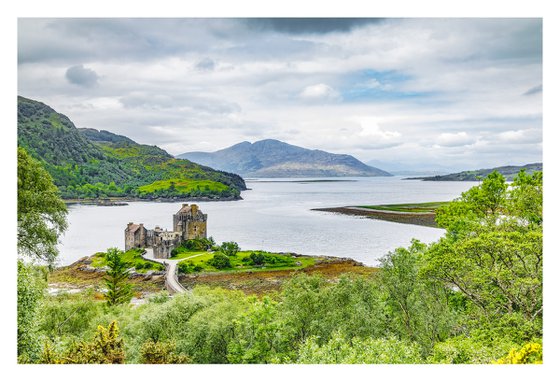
(41, 212)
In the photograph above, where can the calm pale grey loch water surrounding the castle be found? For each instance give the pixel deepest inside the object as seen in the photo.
(275, 215)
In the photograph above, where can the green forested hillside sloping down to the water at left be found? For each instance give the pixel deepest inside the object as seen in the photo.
(90, 163)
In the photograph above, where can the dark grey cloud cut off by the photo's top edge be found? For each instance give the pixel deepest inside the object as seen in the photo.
(309, 25)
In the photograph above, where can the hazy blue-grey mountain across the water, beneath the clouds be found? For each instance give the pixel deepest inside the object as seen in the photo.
(271, 158)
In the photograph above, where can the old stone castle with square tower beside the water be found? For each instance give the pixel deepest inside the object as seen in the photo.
(188, 223)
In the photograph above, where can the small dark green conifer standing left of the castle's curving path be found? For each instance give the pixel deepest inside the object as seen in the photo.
(119, 291)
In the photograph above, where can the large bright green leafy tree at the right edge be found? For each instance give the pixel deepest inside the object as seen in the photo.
(492, 251)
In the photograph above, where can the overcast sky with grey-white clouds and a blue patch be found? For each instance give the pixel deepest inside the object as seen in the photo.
(422, 93)
